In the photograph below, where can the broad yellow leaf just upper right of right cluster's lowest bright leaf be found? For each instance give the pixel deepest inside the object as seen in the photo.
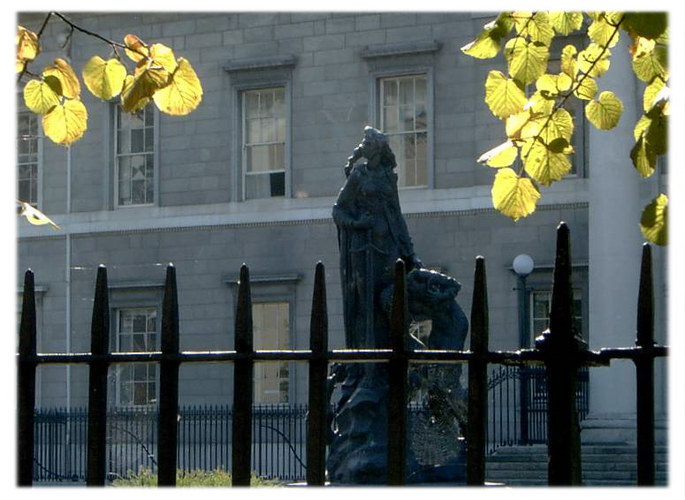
(547, 164)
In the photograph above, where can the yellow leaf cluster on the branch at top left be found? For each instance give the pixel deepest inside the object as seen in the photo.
(155, 75)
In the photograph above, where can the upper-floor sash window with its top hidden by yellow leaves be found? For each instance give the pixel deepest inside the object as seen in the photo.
(135, 158)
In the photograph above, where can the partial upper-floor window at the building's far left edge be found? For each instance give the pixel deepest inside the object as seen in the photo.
(27, 157)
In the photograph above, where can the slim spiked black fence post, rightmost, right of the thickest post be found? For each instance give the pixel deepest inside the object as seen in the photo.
(644, 366)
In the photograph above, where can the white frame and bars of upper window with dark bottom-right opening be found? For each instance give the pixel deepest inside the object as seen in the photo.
(245, 145)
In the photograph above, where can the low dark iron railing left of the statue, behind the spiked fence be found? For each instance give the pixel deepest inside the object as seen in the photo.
(204, 441)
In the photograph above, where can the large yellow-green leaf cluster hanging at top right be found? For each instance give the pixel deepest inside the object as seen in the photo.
(532, 101)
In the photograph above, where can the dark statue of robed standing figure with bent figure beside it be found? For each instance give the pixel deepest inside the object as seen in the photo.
(372, 235)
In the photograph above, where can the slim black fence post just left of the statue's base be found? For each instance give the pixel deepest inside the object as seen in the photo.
(318, 370)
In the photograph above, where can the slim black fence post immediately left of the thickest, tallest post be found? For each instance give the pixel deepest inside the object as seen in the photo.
(478, 381)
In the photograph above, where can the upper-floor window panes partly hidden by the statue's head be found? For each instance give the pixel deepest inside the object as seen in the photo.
(404, 119)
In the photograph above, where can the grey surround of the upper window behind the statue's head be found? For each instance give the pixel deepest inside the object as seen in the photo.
(376, 110)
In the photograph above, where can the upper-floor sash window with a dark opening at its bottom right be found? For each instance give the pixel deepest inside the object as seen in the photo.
(263, 143)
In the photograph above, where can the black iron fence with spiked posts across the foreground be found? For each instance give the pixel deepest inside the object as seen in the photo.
(559, 350)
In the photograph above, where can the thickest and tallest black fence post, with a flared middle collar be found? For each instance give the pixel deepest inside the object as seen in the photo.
(561, 346)
